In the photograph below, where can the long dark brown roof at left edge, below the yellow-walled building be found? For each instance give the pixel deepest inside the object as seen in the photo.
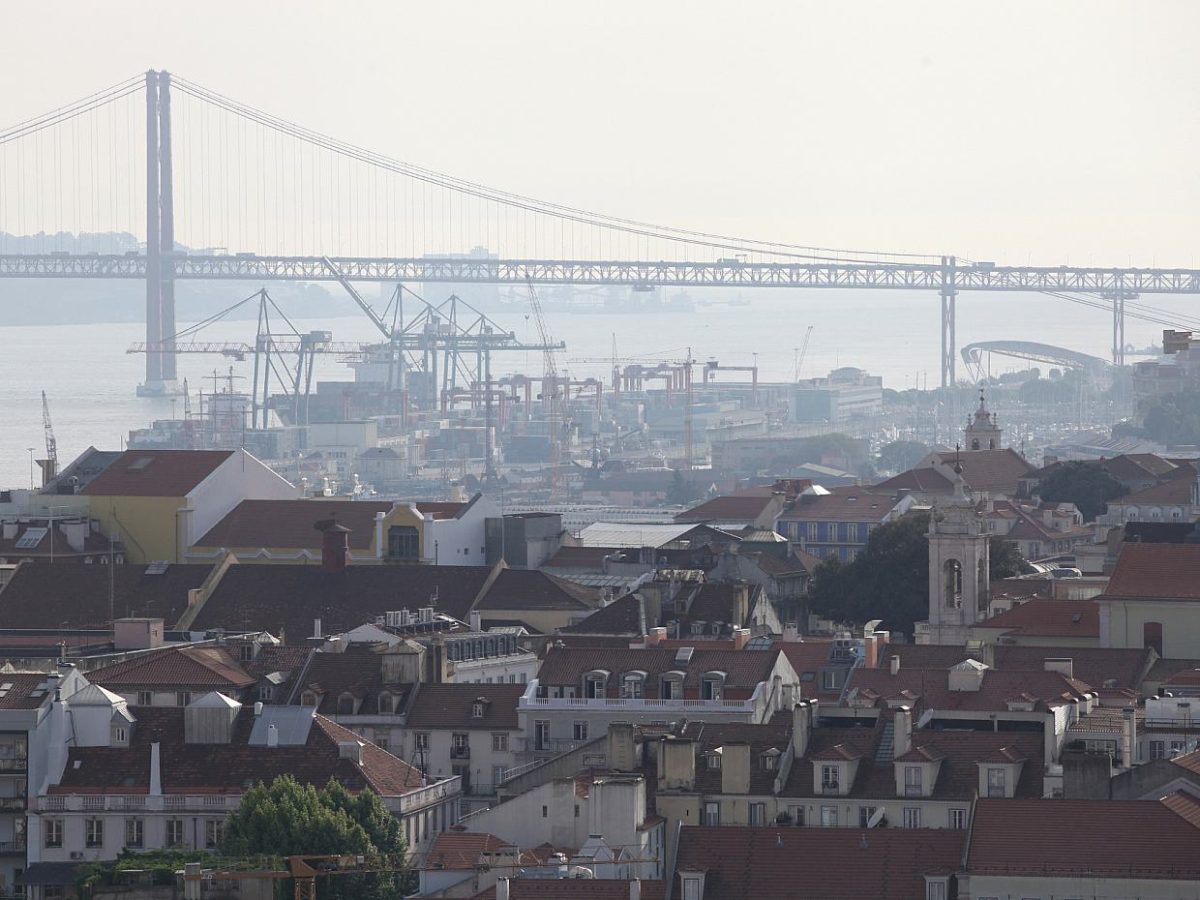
(46, 597)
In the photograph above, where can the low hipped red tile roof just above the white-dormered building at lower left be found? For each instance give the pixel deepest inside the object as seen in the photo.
(176, 668)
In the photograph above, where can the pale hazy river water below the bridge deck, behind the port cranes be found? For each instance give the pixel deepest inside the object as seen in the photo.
(91, 380)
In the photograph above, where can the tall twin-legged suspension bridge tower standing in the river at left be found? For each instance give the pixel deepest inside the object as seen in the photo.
(160, 243)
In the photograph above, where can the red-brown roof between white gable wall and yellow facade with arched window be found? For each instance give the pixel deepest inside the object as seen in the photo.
(292, 524)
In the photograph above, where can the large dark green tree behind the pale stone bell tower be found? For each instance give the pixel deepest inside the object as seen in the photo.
(890, 579)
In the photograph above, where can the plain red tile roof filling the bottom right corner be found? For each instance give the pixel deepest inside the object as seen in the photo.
(1083, 838)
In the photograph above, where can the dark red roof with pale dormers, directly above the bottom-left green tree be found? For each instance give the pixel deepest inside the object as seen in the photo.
(229, 769)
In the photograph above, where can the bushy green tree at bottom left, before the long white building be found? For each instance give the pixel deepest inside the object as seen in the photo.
(289, 819)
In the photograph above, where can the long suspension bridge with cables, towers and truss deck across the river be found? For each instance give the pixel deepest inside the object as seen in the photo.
(160, 179)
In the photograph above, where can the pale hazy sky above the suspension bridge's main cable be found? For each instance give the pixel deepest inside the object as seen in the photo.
(1061, 133)
